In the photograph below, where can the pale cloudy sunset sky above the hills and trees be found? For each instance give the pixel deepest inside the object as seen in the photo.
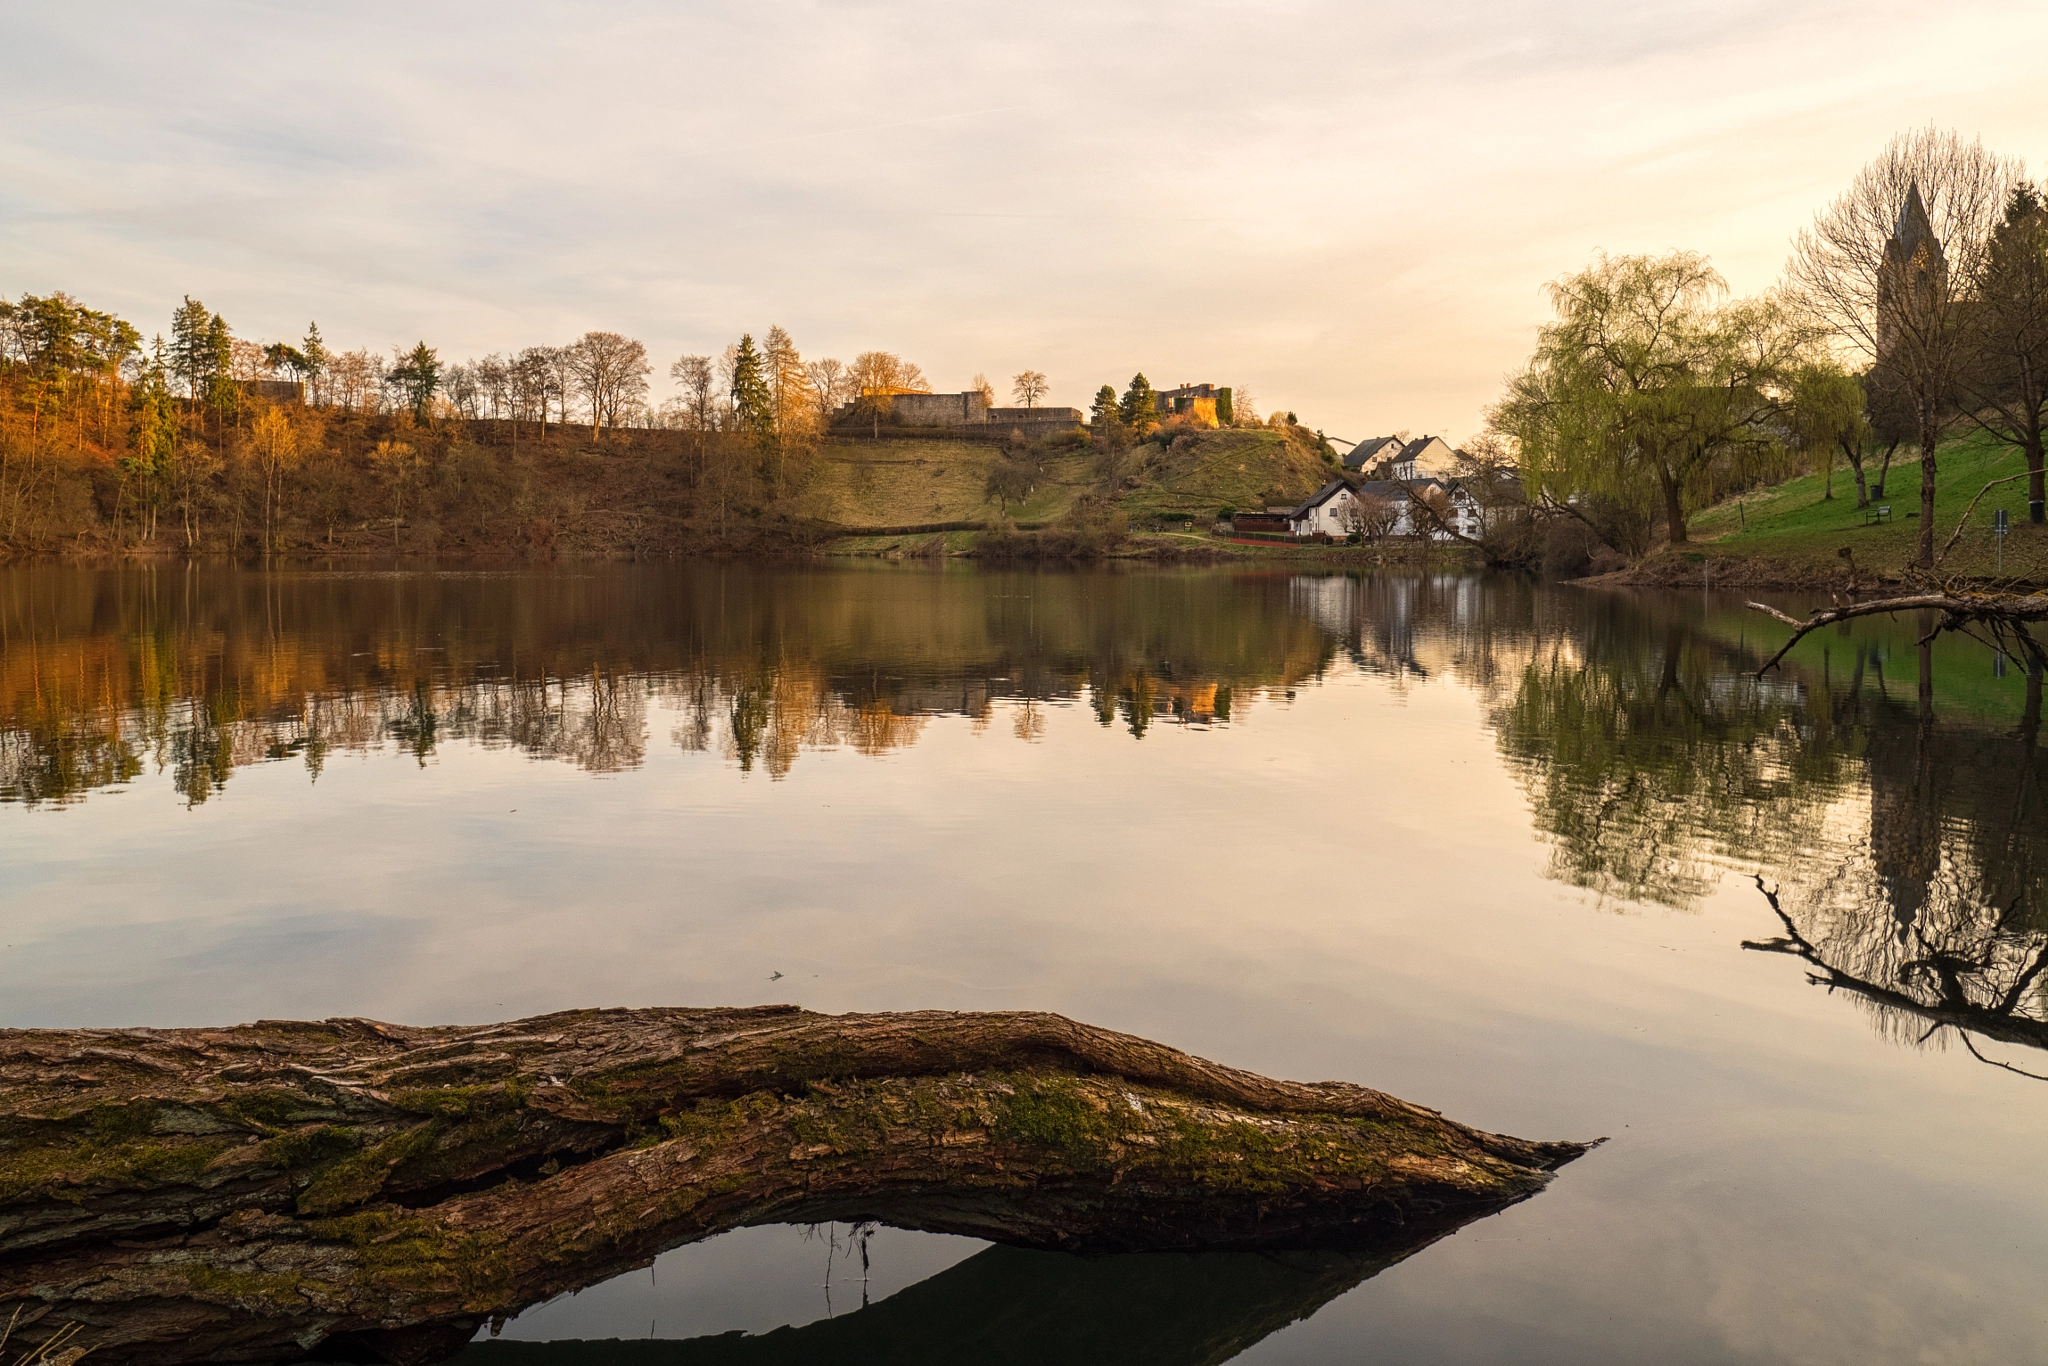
(1345, 208)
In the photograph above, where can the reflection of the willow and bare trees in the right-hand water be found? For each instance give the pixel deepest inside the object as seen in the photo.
(1912, 857)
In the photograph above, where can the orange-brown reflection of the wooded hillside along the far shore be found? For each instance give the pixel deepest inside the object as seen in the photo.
(105, 677)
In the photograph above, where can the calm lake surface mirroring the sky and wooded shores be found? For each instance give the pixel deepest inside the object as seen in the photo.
(1488, 845)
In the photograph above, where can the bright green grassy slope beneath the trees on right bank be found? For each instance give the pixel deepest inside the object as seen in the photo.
(1793, 521)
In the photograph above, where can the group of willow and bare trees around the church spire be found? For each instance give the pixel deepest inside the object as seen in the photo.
(1916, 306)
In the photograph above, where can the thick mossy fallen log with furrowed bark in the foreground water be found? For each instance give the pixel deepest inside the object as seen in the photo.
(247, 1195)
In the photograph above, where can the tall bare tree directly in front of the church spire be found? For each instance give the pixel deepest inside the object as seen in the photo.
(1887, 271)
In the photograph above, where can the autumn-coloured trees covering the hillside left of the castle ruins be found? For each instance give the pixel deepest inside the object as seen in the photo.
(212, 441)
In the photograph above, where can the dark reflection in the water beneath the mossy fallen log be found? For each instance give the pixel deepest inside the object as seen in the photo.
(1029, 1308)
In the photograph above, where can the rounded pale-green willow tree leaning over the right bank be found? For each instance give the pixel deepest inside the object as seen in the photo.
(1650, 390)
